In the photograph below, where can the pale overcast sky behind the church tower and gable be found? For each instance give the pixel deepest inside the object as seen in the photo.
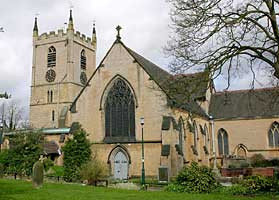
(145, 30)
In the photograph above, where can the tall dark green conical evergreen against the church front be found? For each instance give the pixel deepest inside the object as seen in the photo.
(76, 152)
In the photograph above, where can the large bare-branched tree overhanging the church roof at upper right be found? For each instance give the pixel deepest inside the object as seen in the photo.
(218, 34)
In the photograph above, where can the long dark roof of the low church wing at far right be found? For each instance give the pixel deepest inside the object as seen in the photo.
(245, 104)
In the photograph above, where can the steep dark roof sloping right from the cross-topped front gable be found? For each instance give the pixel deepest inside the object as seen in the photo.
(193, 86)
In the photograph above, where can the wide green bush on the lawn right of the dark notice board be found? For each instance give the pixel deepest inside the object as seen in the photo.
(194, 179)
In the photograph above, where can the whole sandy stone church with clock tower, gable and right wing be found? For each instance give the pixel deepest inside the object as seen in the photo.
(111, 100)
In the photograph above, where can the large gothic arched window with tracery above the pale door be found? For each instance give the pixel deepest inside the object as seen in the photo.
(119, 113)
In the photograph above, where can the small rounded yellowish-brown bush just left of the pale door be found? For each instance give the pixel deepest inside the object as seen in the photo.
(93, 171)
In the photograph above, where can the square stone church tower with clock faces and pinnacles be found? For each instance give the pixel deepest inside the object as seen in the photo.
(62, 61)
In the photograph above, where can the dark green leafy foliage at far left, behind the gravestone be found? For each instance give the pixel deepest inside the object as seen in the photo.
(25, 149)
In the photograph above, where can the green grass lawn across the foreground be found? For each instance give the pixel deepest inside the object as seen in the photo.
(22, 190)
